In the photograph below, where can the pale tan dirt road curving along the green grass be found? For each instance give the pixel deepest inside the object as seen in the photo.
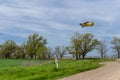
(111, 71)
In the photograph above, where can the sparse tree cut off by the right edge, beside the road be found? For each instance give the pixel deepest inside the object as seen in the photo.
(116, 45)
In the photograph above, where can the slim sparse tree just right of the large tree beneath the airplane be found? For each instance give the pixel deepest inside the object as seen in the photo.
(102, 48)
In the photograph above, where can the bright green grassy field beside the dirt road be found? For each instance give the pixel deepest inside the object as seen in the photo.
(43, 70)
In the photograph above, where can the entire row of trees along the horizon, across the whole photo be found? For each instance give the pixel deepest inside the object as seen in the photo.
(35, 47)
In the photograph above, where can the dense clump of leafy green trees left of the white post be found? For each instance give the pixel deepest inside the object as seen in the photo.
(34, 47)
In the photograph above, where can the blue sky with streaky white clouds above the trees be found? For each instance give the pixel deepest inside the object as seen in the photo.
(57, 20)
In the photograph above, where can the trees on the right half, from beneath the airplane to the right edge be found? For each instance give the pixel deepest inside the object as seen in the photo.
(84, 43)
